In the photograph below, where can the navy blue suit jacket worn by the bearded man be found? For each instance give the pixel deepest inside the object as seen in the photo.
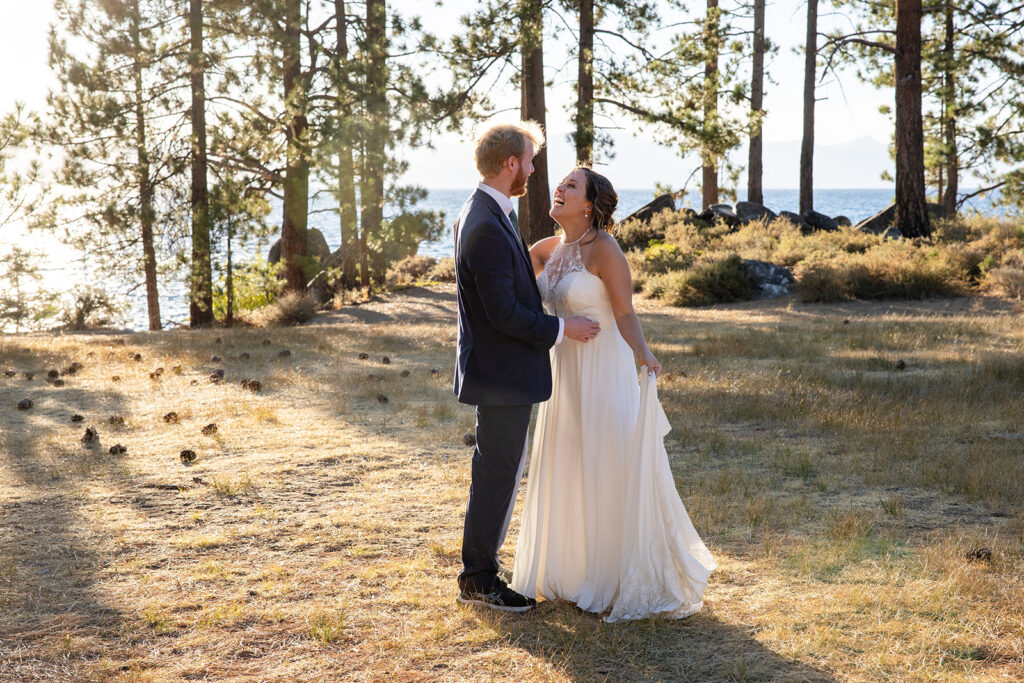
(504, 334)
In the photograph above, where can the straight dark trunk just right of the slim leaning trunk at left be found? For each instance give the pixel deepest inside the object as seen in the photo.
(201, 290)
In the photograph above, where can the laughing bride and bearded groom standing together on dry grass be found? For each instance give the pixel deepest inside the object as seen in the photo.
(553, 324)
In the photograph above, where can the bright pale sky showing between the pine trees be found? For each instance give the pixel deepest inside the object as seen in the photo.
(851, 136)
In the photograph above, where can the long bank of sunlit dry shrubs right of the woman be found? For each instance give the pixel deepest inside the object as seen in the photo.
(830, 266)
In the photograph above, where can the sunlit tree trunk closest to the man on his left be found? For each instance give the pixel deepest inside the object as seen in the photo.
(372, 179)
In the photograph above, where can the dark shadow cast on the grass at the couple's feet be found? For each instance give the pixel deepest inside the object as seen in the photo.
(700, 649)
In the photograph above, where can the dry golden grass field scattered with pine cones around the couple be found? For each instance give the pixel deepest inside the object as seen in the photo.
(858, 469)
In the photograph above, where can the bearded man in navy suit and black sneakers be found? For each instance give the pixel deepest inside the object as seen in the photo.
(503, 365)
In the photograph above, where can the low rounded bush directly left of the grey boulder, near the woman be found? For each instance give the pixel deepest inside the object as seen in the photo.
(711, 282)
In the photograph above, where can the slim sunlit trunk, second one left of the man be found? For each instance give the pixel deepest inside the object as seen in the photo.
(348, 211)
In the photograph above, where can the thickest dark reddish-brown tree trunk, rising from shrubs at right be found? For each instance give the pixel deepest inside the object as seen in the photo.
(912, 212)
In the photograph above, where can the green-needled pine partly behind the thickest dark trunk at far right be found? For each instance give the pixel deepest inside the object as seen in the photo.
(971, 72)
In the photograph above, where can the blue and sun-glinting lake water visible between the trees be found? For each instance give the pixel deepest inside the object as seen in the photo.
(65, 267)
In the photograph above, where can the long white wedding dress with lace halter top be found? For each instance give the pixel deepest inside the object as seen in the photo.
(604, 526)
